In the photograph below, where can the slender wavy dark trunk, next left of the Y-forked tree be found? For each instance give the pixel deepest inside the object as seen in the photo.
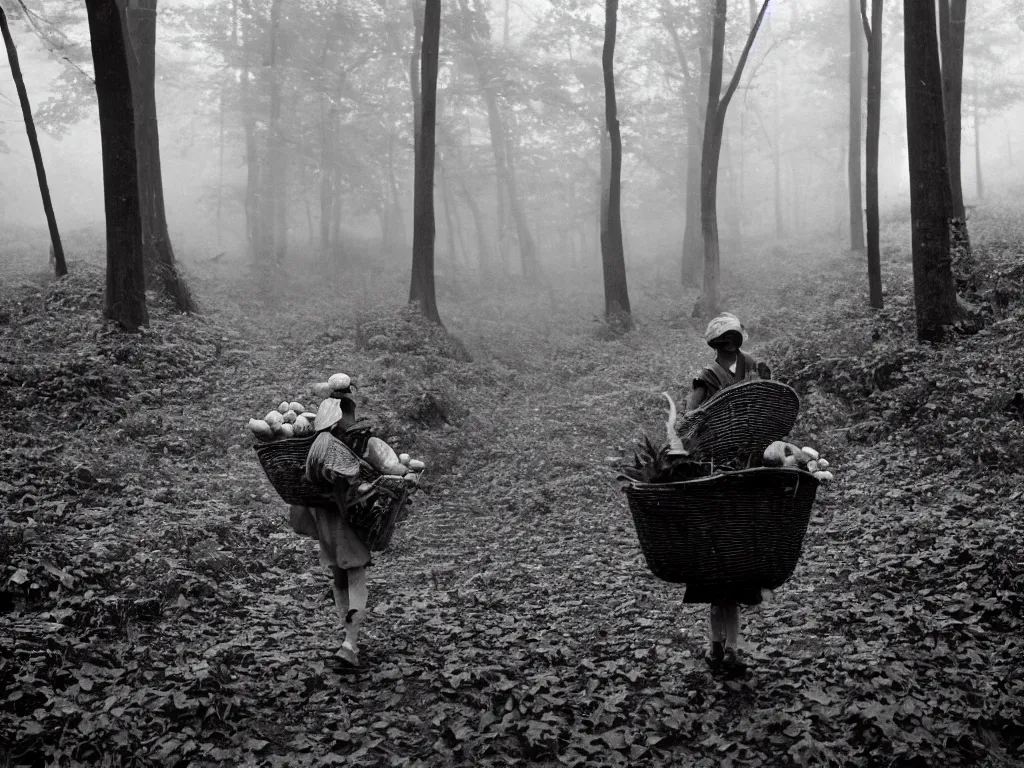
(617, 300)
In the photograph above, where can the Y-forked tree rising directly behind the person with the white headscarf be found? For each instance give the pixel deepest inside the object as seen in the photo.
(714, 126)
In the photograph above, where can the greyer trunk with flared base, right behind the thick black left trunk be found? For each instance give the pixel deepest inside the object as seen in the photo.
(158, 252)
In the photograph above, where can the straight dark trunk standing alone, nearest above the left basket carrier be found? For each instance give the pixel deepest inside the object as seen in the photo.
(422, 284)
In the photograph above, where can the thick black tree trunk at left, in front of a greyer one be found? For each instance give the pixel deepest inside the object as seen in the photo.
(125, 301)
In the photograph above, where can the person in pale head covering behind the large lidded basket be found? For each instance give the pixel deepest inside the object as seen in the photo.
(726, 336)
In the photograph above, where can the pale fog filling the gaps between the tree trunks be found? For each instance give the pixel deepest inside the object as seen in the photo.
(794, 97)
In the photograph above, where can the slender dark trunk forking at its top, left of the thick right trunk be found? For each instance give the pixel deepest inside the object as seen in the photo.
(873, 31)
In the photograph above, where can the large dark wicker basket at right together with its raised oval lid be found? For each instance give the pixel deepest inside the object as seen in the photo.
(735, 529)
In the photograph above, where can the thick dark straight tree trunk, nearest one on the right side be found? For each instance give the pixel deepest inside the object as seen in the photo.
(935, 295)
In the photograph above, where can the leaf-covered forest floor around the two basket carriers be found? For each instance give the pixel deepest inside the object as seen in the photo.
(156, 609)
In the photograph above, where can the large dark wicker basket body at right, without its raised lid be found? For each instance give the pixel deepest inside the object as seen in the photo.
(732, 530)
